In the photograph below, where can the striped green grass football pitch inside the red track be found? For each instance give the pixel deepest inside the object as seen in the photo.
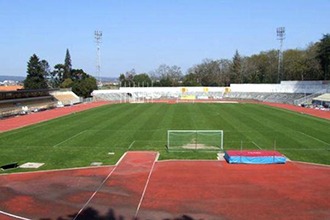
(82, 138)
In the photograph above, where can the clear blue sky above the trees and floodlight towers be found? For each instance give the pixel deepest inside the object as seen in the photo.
(144, 34)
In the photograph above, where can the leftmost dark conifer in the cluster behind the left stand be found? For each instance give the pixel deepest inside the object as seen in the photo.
(37, 71)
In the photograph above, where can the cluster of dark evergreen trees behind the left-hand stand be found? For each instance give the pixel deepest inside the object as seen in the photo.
(40, 76)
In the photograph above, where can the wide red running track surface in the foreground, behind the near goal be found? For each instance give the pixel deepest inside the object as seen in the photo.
(170, 189)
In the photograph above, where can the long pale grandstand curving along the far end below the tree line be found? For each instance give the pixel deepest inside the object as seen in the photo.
(289, 92)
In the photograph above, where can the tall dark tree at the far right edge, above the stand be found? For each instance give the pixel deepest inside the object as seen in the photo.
(324, 55)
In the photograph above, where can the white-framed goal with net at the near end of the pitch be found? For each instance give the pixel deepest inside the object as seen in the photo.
(185, 140)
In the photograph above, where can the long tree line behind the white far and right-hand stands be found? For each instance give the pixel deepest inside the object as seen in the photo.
(310, 63)
